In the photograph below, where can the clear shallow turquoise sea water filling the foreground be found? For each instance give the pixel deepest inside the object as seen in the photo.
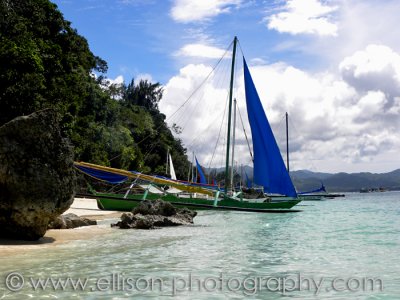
(335, 243)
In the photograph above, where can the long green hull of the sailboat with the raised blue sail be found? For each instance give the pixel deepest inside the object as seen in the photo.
(117, 203)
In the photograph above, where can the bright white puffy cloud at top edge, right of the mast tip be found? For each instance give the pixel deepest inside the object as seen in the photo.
(304, 16)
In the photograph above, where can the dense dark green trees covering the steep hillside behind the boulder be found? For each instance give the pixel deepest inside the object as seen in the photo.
(45, 63)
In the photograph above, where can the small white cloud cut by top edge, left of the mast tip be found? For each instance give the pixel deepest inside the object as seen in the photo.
(186, 11)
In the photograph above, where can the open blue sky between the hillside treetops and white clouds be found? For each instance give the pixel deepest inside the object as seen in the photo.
(141, 36)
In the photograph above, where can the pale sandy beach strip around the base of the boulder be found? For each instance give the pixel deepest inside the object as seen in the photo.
(83, 207)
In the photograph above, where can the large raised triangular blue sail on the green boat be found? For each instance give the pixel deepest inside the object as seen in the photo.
(269, 168)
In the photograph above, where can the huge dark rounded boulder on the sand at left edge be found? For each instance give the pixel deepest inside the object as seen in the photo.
(37, 177)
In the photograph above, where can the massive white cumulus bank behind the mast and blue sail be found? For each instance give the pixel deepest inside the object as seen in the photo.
(343, 119)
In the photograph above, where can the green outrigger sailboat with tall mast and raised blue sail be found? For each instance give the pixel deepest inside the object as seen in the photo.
(269, 169)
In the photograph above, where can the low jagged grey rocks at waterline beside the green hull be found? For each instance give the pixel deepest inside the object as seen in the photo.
(151, 214)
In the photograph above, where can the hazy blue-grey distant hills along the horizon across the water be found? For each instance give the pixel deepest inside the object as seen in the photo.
(305, 180)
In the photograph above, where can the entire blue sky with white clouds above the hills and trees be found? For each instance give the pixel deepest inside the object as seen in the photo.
(333, 65)
